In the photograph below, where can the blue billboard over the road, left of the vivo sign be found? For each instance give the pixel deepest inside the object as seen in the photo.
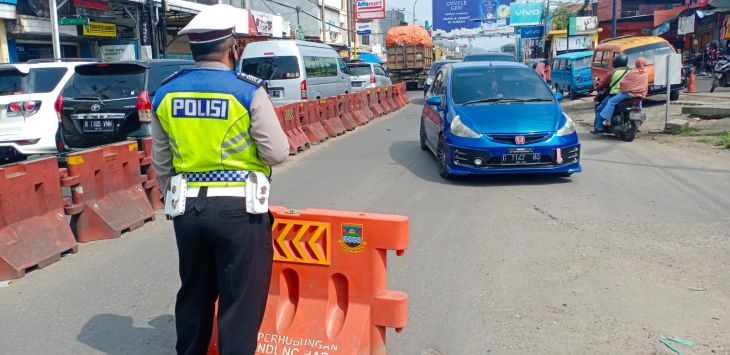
(452, 15)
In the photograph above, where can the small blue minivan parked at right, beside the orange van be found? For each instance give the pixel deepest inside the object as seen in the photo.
(571, 73)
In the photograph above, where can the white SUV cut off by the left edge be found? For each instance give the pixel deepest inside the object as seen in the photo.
(28, 93)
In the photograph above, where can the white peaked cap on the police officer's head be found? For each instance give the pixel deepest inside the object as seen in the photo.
(215, 23)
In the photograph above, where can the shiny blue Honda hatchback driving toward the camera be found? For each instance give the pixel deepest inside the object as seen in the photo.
(497, 118)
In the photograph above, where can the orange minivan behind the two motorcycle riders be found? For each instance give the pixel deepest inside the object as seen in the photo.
(634, 47)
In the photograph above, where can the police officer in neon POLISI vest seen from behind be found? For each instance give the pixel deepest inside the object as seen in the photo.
(217, 128)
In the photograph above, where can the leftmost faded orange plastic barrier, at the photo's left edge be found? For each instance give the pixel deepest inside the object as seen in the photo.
(33, 227)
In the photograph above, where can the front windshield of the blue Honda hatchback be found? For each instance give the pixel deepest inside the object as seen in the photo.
(498, 84)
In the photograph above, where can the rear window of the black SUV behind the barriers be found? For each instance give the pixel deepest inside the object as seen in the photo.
(106, 81)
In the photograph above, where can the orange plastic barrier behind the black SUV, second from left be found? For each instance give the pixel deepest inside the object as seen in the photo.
(110, 187)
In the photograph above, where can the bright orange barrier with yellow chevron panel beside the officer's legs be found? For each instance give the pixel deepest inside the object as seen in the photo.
(328, 284)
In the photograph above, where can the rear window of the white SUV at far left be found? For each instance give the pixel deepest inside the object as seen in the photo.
(38, 80)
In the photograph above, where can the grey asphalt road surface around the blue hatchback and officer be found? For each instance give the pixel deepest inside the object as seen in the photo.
(635, 247)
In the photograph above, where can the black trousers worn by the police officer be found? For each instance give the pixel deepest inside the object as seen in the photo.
(224, 253)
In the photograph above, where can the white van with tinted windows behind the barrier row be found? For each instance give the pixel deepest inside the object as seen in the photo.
(296, 70)
